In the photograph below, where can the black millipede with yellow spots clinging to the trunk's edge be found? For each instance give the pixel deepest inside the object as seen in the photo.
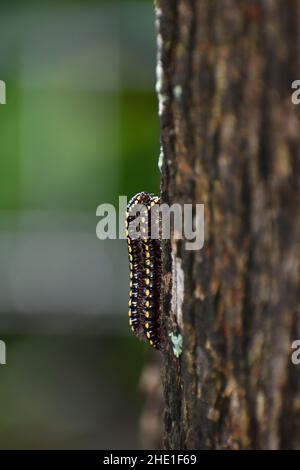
(144, 253)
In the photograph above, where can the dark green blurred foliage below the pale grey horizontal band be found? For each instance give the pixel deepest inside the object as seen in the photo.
(70, 392)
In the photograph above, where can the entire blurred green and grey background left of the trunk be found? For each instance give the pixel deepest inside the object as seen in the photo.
(79, 129)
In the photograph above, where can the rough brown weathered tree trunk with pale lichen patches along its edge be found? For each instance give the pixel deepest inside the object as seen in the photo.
(230, 139)
